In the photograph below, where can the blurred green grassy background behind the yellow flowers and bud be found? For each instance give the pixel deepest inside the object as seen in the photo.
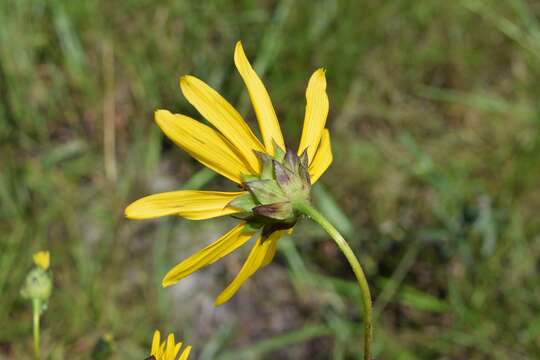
(435, 122)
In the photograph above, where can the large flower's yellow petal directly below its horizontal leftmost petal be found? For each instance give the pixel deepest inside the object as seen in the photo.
(210, 254)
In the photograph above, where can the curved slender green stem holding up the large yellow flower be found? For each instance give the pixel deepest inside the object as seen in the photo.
(310, 211)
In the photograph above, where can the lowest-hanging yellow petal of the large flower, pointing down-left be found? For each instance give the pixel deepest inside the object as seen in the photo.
(261, 251)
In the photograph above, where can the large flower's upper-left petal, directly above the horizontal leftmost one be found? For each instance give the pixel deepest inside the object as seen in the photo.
(204, 144)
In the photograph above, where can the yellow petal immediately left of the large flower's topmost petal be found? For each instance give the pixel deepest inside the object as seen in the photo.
(224, 117)
